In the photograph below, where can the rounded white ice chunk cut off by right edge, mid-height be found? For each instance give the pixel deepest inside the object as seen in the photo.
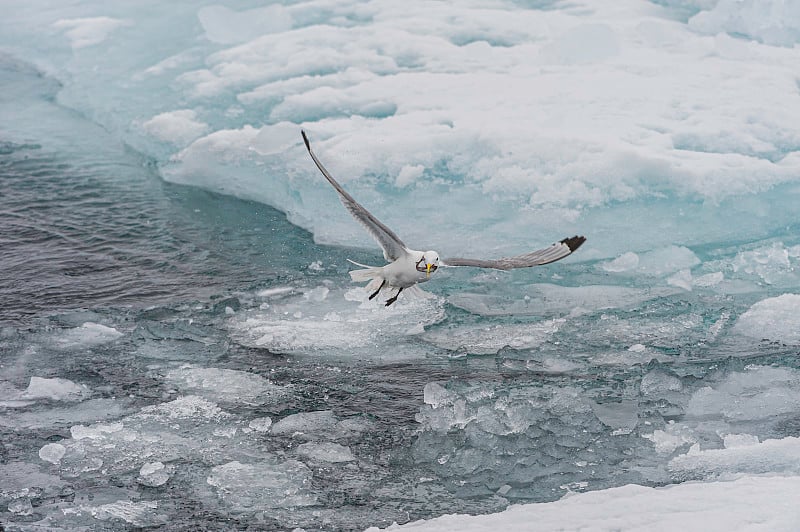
(775, 318)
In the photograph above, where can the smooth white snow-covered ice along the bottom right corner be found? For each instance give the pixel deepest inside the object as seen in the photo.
(748, 503)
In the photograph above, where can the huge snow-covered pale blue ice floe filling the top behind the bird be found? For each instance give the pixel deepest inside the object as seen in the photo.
(543, 114)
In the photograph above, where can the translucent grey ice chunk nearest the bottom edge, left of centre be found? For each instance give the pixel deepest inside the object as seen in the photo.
(263, 485)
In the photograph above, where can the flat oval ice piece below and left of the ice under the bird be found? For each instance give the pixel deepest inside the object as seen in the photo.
(226, 385)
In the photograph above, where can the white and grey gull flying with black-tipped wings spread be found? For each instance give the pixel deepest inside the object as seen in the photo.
(408, 267)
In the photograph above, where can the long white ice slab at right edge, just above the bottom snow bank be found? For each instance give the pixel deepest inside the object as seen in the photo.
(770, 456)
